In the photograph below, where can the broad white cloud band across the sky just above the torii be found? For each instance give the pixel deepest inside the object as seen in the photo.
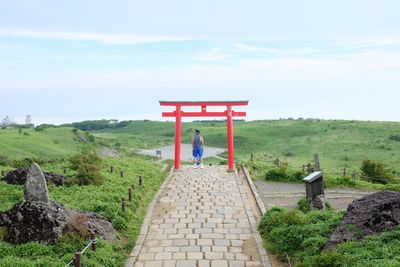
(362, 70)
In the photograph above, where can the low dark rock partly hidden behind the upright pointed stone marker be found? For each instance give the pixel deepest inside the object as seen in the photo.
(18, 176)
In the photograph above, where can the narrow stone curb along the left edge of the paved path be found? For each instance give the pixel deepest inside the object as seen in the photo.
(146, 222)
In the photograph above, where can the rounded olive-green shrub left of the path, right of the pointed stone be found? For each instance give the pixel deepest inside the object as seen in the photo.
(88, 168)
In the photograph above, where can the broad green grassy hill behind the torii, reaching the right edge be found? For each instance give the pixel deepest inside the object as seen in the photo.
(340, 144)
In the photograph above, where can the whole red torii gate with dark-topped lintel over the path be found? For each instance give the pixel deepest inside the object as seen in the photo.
(229, 113)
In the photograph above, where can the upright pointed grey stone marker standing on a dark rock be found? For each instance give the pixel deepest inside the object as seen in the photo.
(35, 186)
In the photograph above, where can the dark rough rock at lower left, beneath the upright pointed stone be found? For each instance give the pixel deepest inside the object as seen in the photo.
(47, 222)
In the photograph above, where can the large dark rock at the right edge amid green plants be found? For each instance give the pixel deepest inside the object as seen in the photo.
(368, 215)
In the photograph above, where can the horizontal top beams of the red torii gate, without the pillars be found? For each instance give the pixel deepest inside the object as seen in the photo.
(203, 105)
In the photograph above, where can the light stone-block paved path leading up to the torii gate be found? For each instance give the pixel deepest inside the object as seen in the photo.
(202, 218)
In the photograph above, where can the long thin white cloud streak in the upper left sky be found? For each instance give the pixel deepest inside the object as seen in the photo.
(124, 39)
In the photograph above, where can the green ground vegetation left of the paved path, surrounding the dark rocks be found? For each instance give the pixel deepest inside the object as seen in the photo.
(104, 200)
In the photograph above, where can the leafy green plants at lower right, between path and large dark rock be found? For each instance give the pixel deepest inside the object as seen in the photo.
(301, 237)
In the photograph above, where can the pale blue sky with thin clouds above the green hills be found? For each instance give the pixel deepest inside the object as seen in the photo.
(63, 61)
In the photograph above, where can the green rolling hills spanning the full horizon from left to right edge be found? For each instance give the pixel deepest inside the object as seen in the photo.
(340, 144)
